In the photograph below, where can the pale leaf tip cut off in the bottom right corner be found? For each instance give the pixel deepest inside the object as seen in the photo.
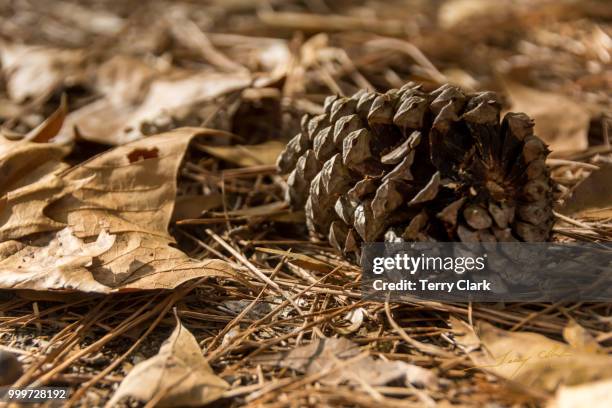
(592, 395)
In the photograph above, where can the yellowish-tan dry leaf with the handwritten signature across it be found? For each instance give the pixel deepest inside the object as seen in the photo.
(536, 361)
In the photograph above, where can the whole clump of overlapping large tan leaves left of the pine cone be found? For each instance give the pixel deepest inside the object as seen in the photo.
(99, 226)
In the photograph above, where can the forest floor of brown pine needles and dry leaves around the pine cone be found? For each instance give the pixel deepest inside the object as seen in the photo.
(180, 276)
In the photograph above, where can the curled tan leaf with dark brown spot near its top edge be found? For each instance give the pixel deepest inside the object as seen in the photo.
(132, 195)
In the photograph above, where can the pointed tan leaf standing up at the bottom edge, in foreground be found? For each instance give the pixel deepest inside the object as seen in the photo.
(178, 375)
